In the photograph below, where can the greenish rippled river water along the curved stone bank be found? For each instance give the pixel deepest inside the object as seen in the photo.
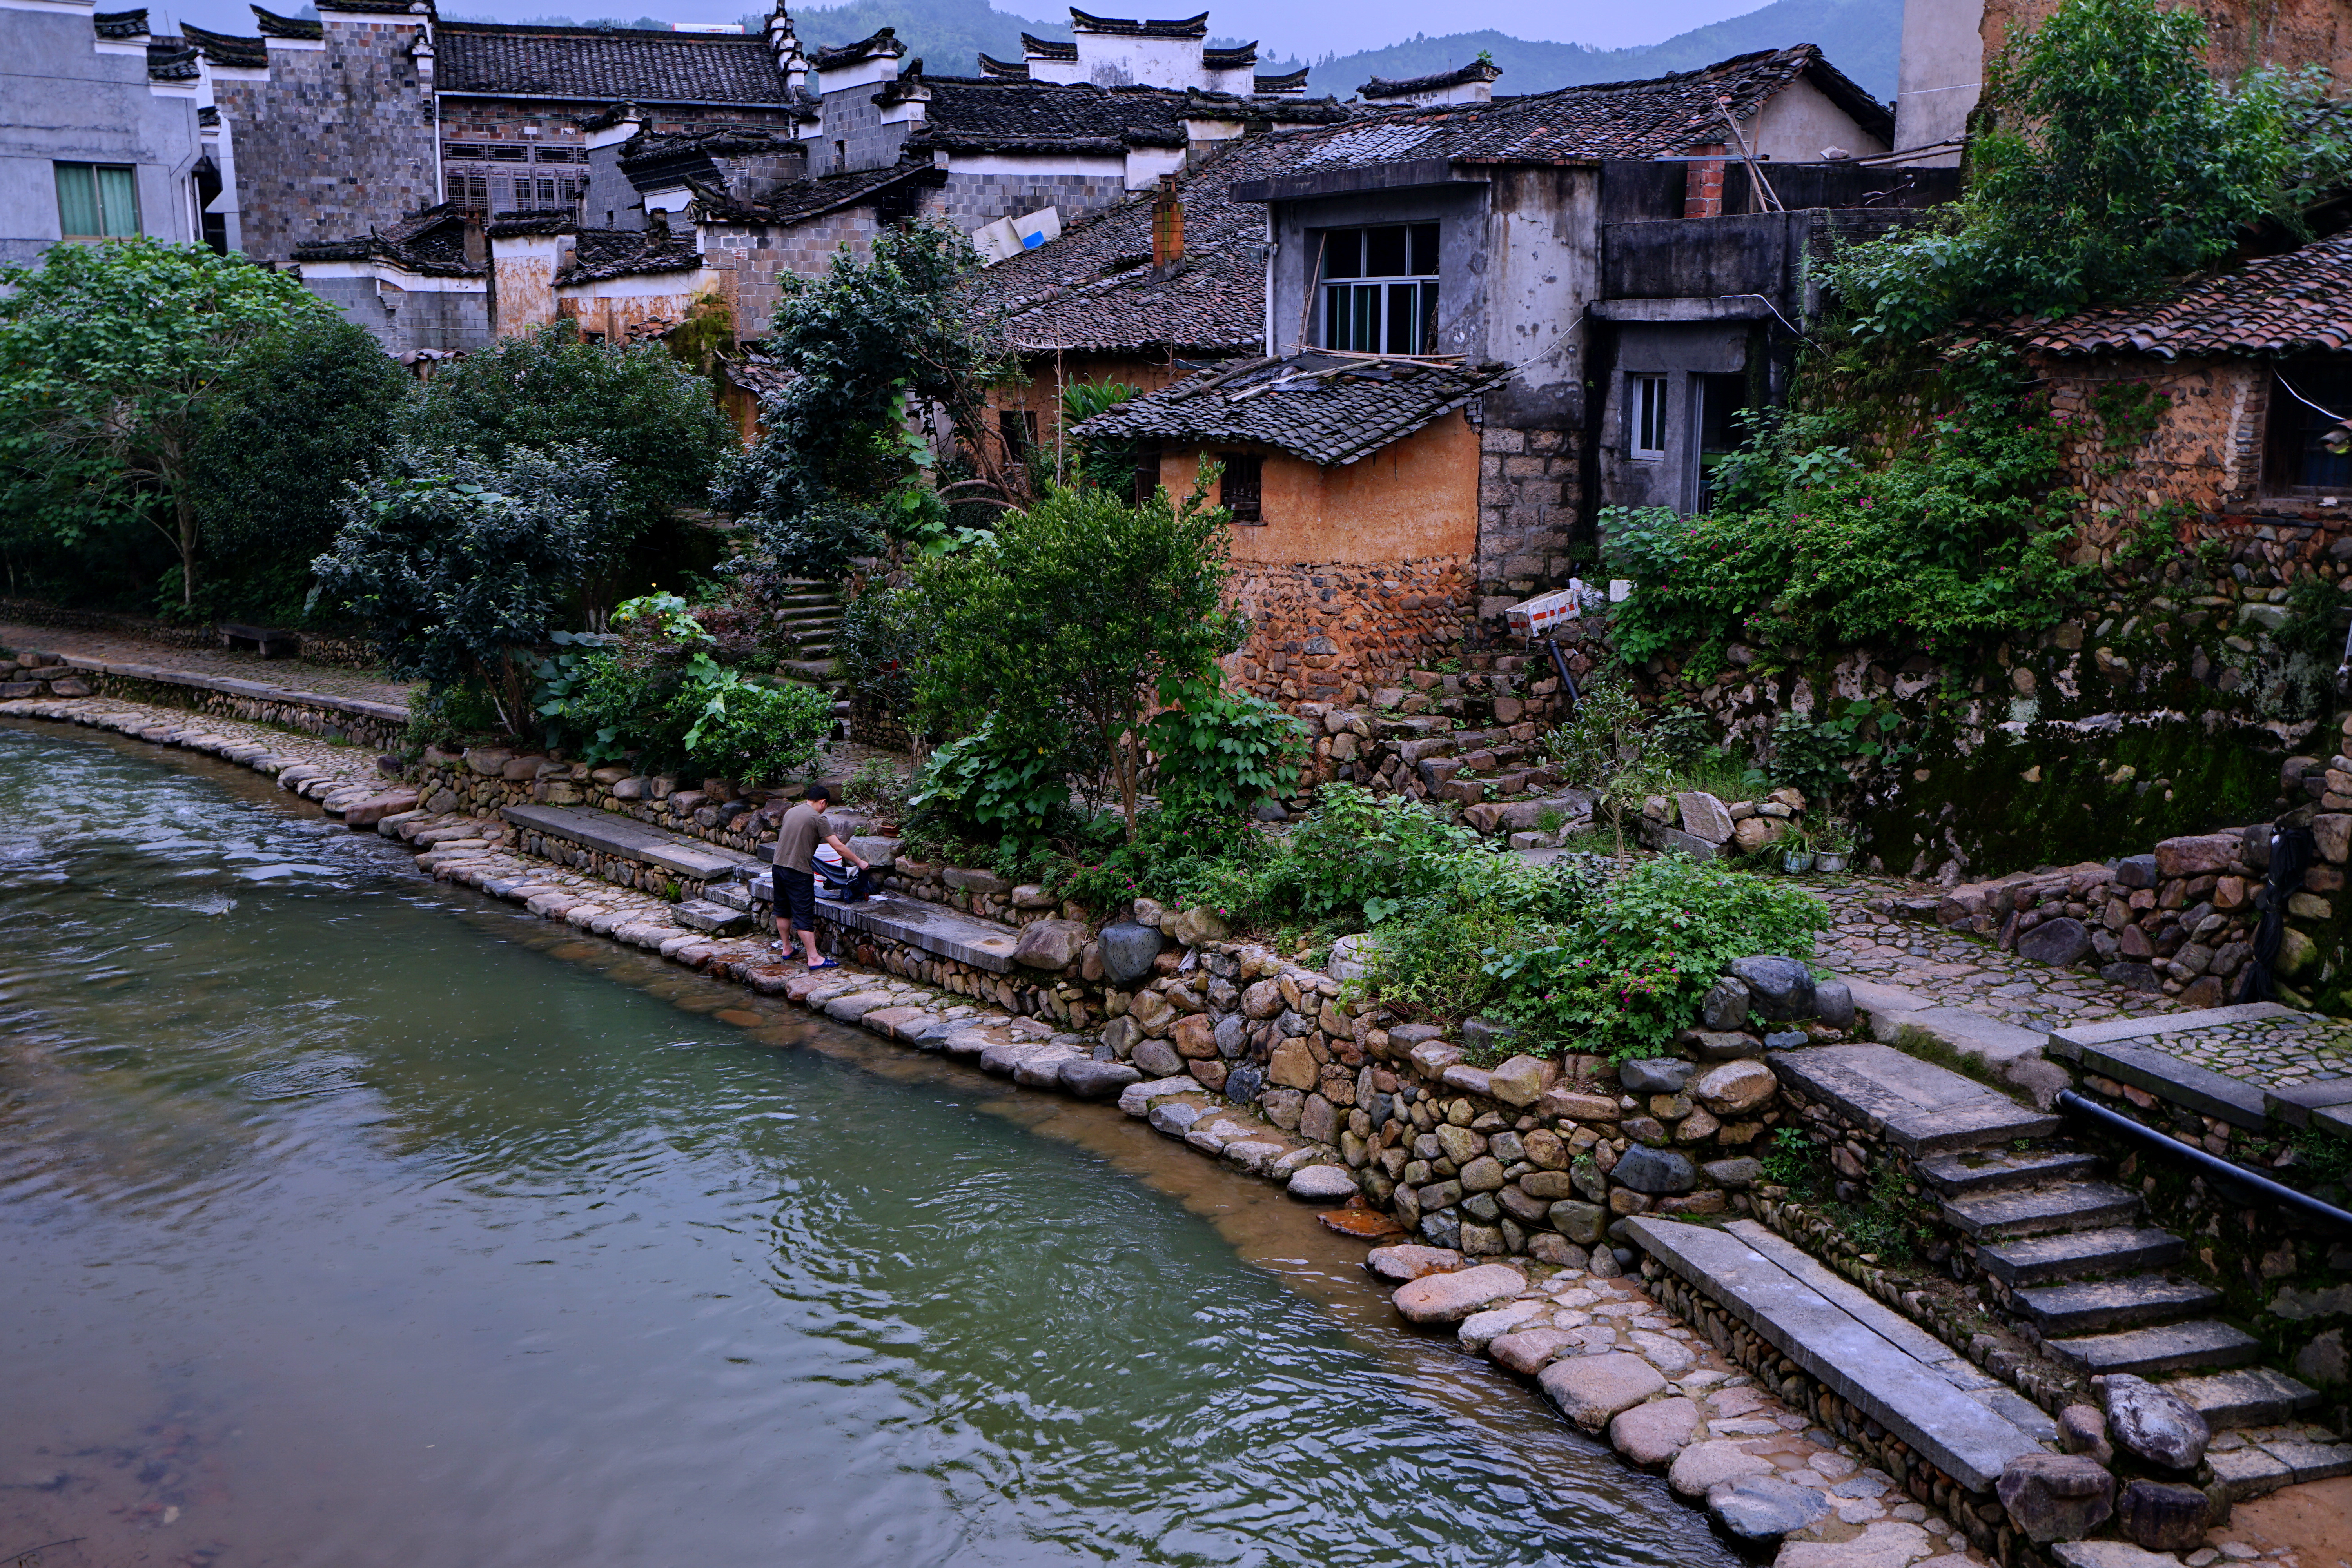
(354, 1221)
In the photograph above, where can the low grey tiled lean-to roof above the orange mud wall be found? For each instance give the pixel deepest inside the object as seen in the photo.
(1321, 408)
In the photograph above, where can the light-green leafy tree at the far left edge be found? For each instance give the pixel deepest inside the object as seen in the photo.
(107, 359)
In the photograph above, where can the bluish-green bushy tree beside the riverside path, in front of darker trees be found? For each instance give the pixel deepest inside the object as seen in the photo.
(460, 568)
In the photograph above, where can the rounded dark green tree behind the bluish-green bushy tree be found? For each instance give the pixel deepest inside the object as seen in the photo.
(636, 408)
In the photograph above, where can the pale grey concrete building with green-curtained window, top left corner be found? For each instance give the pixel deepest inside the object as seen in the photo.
(102, 133)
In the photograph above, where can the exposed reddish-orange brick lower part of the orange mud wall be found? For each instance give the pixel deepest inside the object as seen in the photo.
(1337, 634)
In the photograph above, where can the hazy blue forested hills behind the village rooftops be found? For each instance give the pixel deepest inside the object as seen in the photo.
(1862, 39)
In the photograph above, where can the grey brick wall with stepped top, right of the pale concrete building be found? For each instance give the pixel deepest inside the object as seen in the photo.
(335, 142)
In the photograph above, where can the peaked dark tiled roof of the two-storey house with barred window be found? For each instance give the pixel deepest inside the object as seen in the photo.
(1655, 119)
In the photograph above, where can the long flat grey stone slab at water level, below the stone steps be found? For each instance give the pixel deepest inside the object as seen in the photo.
(1864, 1367)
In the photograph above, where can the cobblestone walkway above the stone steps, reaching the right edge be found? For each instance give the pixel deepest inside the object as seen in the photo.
(1965, 970)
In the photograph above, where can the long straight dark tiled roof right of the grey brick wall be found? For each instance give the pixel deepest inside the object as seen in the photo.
(596, 65)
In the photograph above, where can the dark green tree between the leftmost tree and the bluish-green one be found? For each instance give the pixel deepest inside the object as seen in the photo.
(295, 417)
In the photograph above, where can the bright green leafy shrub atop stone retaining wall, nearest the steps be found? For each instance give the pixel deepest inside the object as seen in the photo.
(1638, 958)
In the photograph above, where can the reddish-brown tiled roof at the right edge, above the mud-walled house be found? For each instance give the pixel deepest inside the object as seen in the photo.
(2287, 304)
